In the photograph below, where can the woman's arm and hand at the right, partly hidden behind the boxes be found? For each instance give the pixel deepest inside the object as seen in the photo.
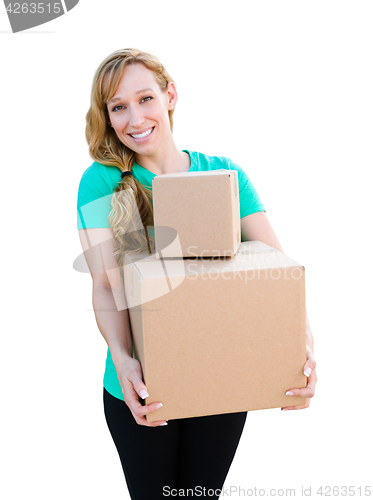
(257, 227)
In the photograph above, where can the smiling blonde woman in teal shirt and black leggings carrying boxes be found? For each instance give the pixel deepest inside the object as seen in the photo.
(129, 132)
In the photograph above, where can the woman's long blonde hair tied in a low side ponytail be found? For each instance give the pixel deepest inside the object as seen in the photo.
(106, 148)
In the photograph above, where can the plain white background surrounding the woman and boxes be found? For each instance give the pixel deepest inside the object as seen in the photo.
(283, 88)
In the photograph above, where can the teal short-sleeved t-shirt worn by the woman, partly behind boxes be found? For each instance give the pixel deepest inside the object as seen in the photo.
(94, 205)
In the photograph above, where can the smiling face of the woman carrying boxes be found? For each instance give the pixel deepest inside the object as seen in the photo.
(138, 111)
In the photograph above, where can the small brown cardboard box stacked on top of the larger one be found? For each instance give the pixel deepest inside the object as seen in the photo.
(205, 216)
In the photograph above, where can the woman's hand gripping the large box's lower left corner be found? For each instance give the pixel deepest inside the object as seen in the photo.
(131, 381)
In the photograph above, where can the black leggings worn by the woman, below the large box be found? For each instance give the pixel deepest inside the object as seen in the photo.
(157, 462)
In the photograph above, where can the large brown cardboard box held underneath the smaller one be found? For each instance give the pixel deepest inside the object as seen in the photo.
(218, 335)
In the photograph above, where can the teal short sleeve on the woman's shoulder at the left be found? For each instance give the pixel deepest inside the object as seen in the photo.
(94, 199)
